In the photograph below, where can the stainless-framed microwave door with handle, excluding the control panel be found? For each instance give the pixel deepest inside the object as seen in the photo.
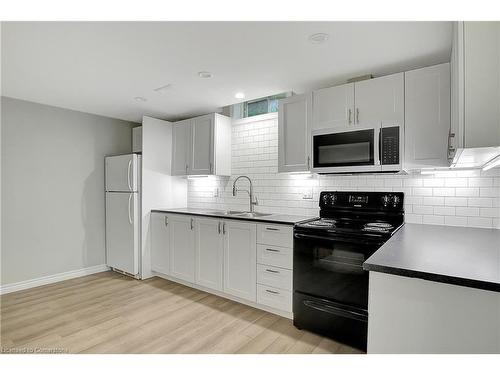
(346, 150)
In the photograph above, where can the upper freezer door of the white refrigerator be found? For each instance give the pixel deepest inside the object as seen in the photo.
(121, 173)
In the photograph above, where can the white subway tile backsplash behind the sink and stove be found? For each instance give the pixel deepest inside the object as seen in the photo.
(458, 198)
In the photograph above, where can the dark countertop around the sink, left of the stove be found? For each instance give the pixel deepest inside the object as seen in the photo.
(274, 218)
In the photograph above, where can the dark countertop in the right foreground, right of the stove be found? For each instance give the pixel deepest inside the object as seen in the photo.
(454, 255)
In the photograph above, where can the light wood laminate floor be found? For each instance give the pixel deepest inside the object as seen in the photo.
(111, 313)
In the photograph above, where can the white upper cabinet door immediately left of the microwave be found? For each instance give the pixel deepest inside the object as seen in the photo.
(293, 134)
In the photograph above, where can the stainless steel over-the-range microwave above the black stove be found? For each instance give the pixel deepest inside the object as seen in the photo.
(356, 149)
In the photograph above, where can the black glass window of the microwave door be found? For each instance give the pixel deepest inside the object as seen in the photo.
(344, 149)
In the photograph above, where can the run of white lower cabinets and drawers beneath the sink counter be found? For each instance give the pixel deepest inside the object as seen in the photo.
(236, 257)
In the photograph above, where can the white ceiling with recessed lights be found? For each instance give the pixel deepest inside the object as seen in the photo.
(99, 67)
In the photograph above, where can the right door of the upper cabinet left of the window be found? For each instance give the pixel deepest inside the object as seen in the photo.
(202, 151)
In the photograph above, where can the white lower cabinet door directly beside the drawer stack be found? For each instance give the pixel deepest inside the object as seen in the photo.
(240, 259)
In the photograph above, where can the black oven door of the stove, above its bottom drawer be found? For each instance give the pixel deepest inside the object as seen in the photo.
(331, 268)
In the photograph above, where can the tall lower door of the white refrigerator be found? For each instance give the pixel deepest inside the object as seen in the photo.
(122, 231)
